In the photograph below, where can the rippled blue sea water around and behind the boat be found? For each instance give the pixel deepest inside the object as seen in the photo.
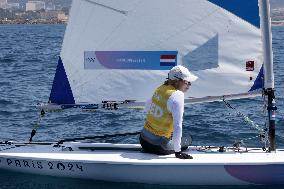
(28, 58)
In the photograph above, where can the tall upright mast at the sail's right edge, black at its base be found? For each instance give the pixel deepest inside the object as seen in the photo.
(268, 68)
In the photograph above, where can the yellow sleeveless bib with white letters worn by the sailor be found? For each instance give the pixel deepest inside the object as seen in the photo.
(159, 120)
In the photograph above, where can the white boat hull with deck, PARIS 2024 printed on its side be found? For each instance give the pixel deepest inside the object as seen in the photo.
(125, 163)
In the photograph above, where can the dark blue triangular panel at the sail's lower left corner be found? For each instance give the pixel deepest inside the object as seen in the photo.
(61, 92)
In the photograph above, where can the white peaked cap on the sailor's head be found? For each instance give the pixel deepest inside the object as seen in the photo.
(180, 72)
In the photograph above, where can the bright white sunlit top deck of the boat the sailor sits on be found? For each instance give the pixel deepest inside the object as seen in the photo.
(132, 154)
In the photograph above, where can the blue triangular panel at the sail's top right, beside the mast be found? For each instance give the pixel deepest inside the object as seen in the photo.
(247, 10)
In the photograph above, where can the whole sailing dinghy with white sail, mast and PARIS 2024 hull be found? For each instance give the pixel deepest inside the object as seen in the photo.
(115, 53)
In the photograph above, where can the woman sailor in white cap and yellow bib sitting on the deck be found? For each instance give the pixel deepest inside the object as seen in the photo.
(162, 132)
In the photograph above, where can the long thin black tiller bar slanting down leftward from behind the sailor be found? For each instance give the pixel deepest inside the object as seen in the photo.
(96, 137)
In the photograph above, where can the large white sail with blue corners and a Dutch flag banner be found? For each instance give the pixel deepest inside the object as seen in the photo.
(113, 49)
